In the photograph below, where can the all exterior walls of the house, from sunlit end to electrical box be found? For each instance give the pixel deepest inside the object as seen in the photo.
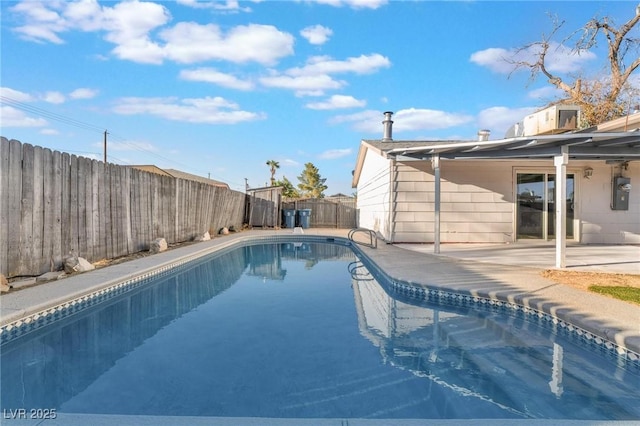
(478, 203)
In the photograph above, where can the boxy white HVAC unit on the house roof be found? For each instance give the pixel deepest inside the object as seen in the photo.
(552, 120)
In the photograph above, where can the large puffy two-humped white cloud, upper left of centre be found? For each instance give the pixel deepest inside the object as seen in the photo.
(188, 42)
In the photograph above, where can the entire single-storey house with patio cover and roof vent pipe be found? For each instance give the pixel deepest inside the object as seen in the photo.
(503, 190)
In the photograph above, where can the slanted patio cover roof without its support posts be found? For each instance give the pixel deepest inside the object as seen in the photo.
(616, 146)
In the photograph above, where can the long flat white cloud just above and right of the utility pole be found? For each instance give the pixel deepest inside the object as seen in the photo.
(209, 110)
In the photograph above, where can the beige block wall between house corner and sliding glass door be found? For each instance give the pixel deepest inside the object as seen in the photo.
(476, 203)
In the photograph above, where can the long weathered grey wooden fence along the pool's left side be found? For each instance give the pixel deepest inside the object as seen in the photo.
(52, 203)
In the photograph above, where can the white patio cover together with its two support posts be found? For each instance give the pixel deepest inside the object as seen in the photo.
(613, 147)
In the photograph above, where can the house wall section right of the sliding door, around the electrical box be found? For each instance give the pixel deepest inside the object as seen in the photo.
(599, 224)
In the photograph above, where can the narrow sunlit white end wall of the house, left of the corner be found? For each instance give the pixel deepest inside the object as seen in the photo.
(374, 194)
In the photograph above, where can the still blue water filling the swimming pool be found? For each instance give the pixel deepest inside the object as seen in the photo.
(304, 331)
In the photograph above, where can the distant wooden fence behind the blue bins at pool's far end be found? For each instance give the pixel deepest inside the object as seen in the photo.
(326, 213)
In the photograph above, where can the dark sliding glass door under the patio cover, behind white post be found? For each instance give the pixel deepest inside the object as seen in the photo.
(536, 205)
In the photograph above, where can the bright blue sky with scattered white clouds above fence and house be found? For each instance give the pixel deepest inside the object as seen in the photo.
(217, 88)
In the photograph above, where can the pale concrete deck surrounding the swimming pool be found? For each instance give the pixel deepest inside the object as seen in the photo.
(508, 272)
